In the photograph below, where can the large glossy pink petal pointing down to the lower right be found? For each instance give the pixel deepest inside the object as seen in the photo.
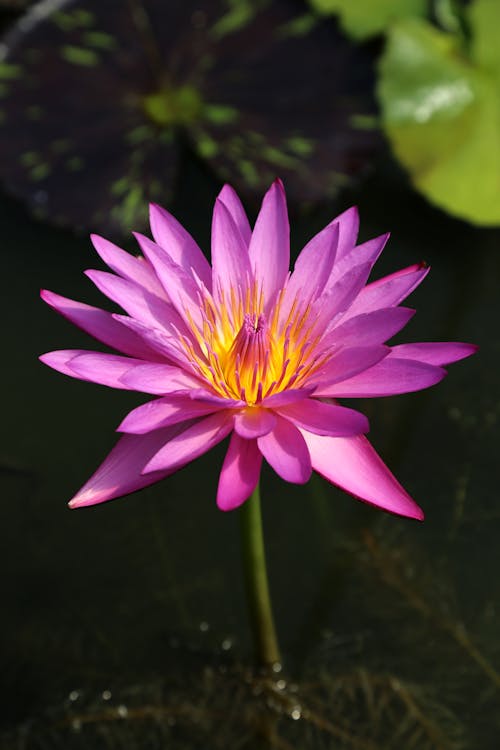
(352, 464)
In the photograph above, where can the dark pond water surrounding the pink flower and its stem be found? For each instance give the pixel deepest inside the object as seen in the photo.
(124, 625)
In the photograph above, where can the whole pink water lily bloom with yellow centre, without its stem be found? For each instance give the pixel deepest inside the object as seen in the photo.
(247, 348)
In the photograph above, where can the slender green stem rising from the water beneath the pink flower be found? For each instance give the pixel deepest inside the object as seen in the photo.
(257, 587)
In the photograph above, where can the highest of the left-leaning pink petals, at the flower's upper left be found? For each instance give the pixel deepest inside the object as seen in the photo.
(178, 243)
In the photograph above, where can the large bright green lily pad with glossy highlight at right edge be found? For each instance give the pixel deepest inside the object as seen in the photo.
(441, 111)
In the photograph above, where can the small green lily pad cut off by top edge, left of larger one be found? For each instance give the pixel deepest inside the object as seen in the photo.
(364, 18)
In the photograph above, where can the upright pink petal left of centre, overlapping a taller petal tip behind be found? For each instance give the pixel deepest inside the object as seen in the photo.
(230, 262)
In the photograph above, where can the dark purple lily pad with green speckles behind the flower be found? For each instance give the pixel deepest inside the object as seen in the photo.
(95, 98)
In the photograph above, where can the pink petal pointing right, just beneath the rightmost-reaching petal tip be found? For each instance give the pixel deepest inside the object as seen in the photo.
(387, 378)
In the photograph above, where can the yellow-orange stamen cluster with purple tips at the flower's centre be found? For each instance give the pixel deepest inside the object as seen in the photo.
(247, 356)
